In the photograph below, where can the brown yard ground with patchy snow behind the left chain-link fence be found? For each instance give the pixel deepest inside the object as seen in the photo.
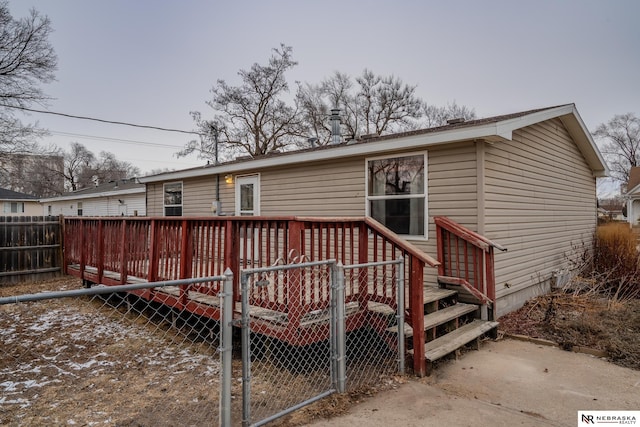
(75, 362)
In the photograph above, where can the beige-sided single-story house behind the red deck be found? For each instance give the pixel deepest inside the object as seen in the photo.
(526, 181)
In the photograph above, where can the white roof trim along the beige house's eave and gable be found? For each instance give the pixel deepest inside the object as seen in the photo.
(501, 130)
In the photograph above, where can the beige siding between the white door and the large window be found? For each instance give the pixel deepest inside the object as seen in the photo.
(334, 188)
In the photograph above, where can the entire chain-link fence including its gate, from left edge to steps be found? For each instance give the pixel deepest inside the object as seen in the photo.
(158, 354)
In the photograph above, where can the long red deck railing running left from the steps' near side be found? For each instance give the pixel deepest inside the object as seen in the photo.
(120, 250)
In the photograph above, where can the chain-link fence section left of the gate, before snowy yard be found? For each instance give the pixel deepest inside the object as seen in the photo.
(125, 355)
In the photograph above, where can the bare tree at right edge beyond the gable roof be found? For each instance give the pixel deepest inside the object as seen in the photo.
(620, 144)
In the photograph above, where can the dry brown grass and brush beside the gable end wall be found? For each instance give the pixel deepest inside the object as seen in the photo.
(600, 309)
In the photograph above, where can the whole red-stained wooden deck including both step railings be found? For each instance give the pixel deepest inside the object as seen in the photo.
(115, 251)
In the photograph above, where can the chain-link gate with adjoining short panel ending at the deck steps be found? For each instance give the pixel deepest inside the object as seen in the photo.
(296, 348)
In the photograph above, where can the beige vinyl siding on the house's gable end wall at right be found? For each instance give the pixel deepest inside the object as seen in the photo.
(540, 204)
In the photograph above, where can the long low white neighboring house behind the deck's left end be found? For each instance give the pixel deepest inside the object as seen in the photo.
(115, 198)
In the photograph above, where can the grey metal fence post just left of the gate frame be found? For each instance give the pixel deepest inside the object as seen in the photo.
(226, 349)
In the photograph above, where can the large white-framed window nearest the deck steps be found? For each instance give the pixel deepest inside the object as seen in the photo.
(396, 193)
